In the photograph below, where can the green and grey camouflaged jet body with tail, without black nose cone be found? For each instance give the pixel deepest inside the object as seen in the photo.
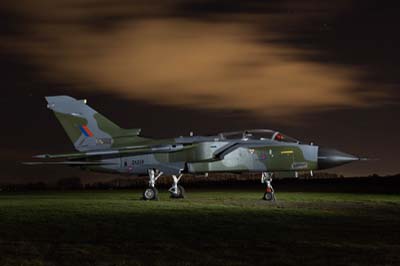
(119, 150)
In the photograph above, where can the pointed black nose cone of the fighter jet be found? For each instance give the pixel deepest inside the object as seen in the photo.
(328, 158)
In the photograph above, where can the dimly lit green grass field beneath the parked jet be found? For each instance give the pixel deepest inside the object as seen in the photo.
(207, 228)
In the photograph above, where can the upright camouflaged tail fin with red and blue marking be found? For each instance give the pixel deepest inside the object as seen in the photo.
(88, 129)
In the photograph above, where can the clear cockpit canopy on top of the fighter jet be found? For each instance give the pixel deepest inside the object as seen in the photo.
(258, 134)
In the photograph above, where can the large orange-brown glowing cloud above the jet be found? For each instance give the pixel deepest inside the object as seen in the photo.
(174, 61)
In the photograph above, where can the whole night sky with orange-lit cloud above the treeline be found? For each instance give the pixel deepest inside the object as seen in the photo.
(321, 71)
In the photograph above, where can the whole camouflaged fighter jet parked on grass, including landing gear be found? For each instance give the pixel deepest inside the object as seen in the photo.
(103, 146)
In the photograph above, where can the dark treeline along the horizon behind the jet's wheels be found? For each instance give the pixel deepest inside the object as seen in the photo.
(321, 182)
